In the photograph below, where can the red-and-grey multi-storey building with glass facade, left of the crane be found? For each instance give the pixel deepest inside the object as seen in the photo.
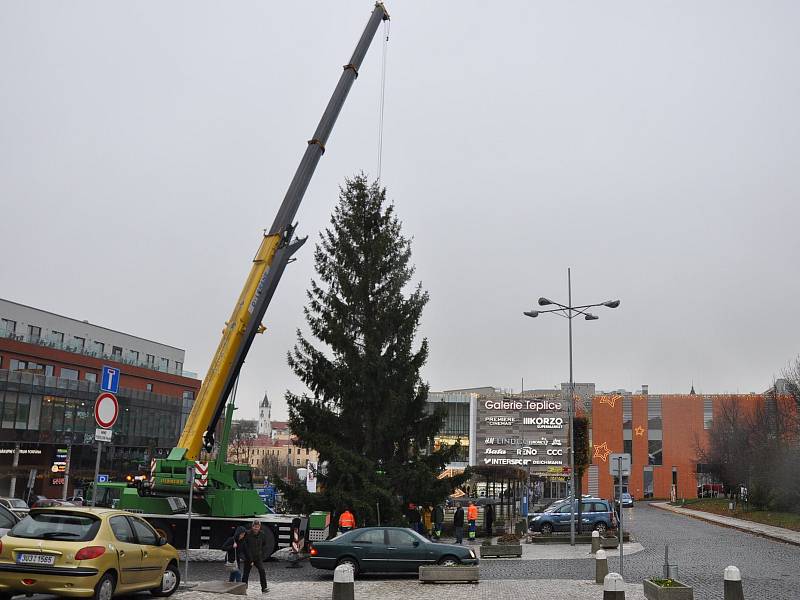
(49, 369)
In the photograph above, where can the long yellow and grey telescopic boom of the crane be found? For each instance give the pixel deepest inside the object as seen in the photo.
(273, 255)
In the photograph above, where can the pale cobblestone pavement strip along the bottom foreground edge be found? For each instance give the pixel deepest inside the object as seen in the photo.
(404, 589)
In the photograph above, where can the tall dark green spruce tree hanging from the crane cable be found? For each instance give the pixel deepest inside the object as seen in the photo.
(366, 412)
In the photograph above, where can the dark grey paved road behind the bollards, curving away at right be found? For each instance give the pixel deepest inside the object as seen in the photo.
(701, 551)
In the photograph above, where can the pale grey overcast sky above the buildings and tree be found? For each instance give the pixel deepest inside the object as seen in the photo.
(651, 146)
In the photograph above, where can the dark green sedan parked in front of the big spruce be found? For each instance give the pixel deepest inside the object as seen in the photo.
(387, 550)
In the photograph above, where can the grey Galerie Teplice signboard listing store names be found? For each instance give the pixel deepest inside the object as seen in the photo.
(525, 432)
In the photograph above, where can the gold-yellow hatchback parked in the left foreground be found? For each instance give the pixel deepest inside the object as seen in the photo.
(85, 553)
